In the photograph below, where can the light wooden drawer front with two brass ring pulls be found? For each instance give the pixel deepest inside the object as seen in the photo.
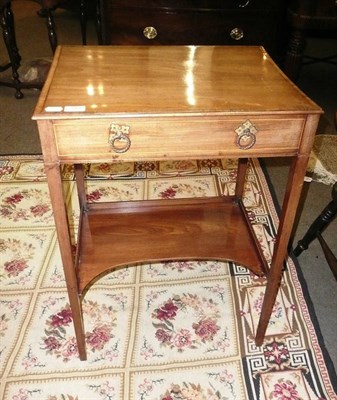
(177, 138)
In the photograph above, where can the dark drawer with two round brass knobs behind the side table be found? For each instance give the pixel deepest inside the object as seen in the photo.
(153, 26)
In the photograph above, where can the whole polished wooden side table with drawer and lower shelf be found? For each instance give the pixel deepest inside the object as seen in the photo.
(134, 103)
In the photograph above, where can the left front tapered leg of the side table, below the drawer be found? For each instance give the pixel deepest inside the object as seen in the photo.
(53, 172)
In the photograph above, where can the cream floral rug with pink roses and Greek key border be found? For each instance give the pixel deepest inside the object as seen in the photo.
(165, 331)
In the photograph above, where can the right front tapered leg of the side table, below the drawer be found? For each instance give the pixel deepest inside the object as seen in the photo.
(291, 200)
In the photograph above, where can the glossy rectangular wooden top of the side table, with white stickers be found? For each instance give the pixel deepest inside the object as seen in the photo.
(166, 80)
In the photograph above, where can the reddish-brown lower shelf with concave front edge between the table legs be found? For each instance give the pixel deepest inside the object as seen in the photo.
(127, 233)
